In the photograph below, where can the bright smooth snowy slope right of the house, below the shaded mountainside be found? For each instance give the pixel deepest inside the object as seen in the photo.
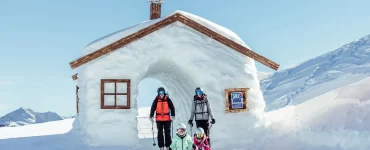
(335, 120)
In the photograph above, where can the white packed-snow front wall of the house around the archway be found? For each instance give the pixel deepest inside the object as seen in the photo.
(182, 59)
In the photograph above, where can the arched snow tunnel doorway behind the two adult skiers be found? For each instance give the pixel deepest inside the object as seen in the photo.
(179, 85)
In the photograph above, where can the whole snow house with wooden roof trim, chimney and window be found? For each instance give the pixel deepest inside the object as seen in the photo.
(183, 51)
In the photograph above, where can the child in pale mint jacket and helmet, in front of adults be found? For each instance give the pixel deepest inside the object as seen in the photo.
(181, 141)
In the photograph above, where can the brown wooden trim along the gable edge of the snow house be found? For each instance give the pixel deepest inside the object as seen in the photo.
(185, 20)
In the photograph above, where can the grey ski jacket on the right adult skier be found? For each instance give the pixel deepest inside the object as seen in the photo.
(201, 108)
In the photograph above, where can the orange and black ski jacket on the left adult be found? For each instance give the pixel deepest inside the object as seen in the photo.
(162, 108)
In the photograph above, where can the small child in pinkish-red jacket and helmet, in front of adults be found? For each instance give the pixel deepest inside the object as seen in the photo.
(200, 140)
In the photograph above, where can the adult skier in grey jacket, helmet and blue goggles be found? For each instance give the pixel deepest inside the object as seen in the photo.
(202, 111)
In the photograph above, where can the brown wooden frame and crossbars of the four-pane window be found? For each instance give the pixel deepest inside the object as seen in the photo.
(115, 81)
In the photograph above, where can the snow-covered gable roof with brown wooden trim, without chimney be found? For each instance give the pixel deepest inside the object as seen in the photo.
(120, 38)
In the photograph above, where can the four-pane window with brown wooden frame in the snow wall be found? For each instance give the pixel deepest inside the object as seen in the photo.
(115, 94)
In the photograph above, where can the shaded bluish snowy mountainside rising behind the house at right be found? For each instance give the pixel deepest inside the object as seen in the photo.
(319, 75)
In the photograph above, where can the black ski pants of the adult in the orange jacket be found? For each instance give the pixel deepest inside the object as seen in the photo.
(166, 126)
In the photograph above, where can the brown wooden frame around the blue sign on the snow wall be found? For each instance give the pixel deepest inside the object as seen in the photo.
(228, 102)
